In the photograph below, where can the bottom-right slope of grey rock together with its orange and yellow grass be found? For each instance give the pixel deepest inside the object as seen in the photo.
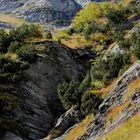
(118, 107)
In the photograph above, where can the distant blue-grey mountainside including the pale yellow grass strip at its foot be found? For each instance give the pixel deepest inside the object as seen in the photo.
(57, 13)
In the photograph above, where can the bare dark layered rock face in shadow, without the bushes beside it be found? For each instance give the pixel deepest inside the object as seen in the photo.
(40, 105)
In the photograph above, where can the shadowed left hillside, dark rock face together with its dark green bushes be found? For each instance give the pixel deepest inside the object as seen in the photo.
(30, 71)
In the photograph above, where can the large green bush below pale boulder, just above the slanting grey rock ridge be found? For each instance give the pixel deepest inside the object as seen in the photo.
(108, 68)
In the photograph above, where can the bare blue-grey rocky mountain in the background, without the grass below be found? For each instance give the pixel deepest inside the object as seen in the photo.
(41, 10)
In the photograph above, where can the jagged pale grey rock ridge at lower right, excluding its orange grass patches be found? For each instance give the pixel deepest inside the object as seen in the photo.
(114, 99)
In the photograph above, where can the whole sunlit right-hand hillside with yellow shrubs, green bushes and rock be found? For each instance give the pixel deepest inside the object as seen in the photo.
(110, 91)
